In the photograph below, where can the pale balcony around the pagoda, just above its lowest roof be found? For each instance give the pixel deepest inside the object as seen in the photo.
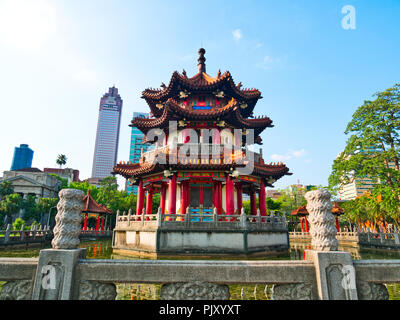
(200, 153)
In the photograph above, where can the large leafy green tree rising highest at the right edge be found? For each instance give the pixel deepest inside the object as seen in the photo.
(373, 148)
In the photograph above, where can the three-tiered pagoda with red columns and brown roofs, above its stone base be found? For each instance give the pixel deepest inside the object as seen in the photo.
(200, 161)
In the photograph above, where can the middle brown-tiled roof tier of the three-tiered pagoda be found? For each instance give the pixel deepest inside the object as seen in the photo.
(230, 113)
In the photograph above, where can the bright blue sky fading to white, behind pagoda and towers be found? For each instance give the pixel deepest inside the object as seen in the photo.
(59, 57)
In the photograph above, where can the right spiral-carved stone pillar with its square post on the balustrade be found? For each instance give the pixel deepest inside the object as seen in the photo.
(334, 269)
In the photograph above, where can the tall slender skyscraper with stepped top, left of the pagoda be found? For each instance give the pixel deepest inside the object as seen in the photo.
(107, 137)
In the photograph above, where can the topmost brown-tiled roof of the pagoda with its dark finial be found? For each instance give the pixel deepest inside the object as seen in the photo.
(201, 83)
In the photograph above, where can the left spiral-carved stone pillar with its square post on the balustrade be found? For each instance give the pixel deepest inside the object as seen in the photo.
(55, 275)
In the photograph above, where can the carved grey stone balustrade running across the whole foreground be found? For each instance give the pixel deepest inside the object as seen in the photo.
(328, 274)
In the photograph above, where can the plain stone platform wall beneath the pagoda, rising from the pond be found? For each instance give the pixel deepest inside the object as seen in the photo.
(227, 243)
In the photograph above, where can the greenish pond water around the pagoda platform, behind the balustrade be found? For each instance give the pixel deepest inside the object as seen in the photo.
(102, 249)
